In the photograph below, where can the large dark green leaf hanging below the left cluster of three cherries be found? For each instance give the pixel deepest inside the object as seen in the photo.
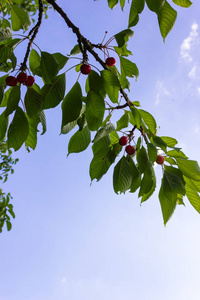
(18, 130)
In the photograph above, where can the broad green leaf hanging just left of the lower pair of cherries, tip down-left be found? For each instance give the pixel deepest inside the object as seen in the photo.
(100, 163)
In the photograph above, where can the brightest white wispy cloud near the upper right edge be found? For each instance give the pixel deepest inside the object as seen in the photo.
(189, 42)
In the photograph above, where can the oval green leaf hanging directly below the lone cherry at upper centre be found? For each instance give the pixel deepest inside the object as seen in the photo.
(95, 108)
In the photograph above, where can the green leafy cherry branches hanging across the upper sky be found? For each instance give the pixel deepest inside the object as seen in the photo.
(90, 110)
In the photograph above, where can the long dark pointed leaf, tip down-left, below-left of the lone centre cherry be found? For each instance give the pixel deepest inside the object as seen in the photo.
(71, 105)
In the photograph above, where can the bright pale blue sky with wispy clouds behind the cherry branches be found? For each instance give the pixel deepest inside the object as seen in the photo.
(74, 241)
